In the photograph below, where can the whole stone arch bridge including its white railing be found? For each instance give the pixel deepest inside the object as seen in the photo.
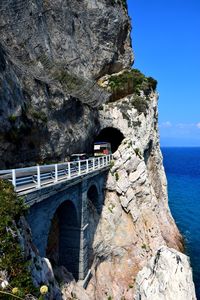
(64, 199)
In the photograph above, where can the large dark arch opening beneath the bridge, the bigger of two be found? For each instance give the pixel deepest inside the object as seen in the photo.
(63, 246)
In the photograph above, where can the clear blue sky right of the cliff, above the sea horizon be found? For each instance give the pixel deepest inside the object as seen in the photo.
(166, 44)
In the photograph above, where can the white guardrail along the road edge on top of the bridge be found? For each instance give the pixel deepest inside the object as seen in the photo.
(26, 179)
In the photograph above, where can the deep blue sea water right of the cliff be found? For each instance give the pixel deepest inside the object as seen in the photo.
(182, 166)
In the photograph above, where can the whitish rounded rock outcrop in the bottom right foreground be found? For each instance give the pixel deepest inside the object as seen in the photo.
(167, 276)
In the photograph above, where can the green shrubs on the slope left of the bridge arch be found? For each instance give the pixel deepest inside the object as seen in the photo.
(11, 256)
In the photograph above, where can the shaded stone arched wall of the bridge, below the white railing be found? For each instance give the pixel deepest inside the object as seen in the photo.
(63, 220)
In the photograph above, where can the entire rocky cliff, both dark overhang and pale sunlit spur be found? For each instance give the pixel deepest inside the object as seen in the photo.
(52, 105)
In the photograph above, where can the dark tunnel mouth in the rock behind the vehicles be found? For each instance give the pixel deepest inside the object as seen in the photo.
(110, 135)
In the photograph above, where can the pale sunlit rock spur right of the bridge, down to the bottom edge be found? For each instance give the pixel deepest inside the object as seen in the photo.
(136, 220)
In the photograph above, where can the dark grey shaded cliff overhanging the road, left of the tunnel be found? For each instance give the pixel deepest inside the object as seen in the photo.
(51, 55)
